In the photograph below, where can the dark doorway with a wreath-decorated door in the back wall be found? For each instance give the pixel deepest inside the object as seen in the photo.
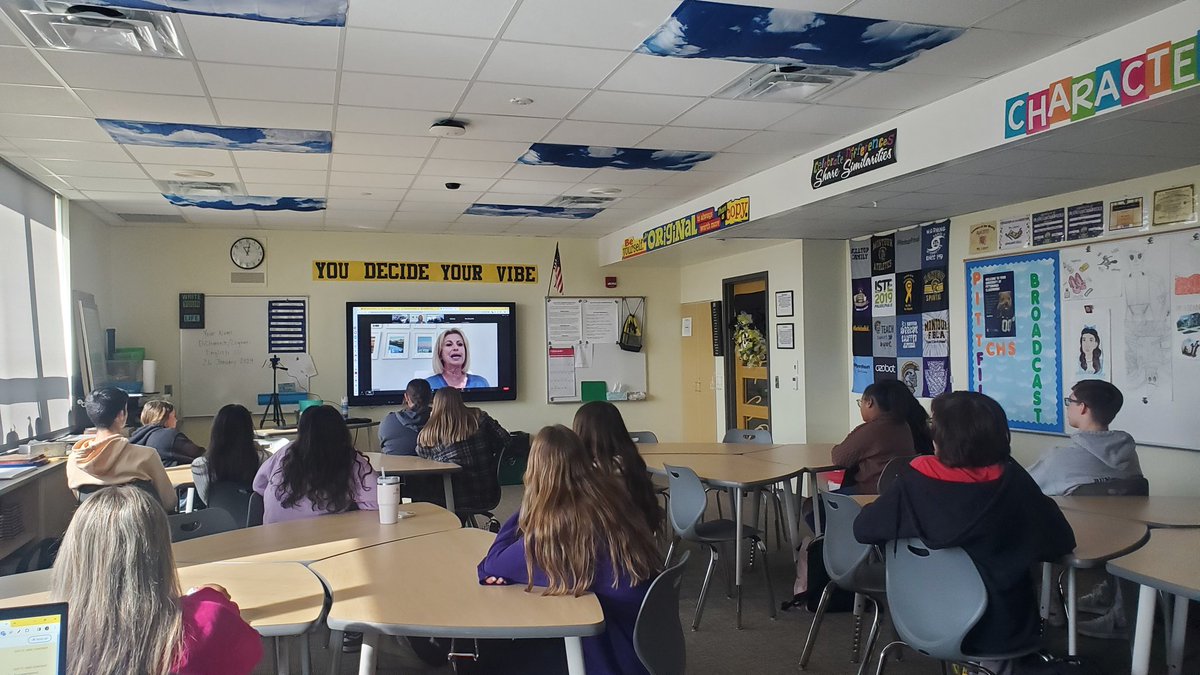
(747, 353)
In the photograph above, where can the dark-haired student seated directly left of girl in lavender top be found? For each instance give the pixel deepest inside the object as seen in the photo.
(233, 456)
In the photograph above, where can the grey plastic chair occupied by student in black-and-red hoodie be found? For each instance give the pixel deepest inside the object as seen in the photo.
(923, 620)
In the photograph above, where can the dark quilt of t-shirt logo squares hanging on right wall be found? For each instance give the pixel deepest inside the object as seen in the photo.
(899, 327)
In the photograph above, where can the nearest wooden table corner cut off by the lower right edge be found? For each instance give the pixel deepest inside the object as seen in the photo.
(1168, 563)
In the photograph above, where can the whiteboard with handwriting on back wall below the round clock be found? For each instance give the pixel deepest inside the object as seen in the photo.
(224, 362)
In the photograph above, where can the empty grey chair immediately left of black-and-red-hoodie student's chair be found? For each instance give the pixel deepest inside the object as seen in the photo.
(851, 568)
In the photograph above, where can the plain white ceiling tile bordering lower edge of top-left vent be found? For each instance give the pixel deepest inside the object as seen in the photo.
(125, 74)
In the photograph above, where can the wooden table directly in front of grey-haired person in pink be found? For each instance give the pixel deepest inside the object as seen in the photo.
(279, 600)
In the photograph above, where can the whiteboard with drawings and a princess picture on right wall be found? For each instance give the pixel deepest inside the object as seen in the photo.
(1142, 296)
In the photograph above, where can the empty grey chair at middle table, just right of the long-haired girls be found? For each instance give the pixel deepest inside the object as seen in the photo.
(688, 503)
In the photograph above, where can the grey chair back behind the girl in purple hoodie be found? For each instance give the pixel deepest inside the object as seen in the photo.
(658, 635)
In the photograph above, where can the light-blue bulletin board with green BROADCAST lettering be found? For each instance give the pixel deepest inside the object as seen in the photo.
(1013, 337)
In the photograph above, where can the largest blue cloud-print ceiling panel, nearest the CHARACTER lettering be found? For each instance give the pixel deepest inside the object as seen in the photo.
(764, 35)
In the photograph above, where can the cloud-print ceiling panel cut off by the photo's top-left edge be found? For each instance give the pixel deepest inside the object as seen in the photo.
(308, 13)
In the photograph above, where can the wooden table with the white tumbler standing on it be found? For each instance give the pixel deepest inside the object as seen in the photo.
(315, 539)
